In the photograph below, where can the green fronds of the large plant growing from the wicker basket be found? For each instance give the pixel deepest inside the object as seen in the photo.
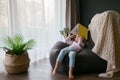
(17, 45)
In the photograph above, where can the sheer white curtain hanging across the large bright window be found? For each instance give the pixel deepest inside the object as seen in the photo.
(37, 19)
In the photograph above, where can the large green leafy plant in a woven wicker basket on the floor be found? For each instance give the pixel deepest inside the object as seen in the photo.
(16, 55)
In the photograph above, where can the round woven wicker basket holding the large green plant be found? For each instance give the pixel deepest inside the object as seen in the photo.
(15, 64)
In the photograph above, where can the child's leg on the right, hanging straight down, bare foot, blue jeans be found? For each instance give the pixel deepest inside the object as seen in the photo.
(72, 55)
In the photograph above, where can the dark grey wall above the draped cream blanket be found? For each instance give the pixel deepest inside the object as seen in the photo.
(88, 8)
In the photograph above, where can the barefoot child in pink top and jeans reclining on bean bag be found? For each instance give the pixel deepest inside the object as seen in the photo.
(74, 47)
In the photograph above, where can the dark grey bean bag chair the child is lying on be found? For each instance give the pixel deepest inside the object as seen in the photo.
(86, 60)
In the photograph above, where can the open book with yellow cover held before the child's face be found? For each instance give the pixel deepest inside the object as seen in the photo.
(80, 30)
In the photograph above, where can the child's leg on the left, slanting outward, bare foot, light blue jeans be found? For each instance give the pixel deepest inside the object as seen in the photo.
(60, 57)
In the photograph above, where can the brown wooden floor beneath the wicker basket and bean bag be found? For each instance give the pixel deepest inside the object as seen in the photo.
(41, 70)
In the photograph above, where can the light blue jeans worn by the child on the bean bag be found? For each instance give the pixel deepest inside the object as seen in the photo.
(71, 54)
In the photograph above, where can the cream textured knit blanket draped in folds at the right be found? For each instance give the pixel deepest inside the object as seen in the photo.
(105, 32)
